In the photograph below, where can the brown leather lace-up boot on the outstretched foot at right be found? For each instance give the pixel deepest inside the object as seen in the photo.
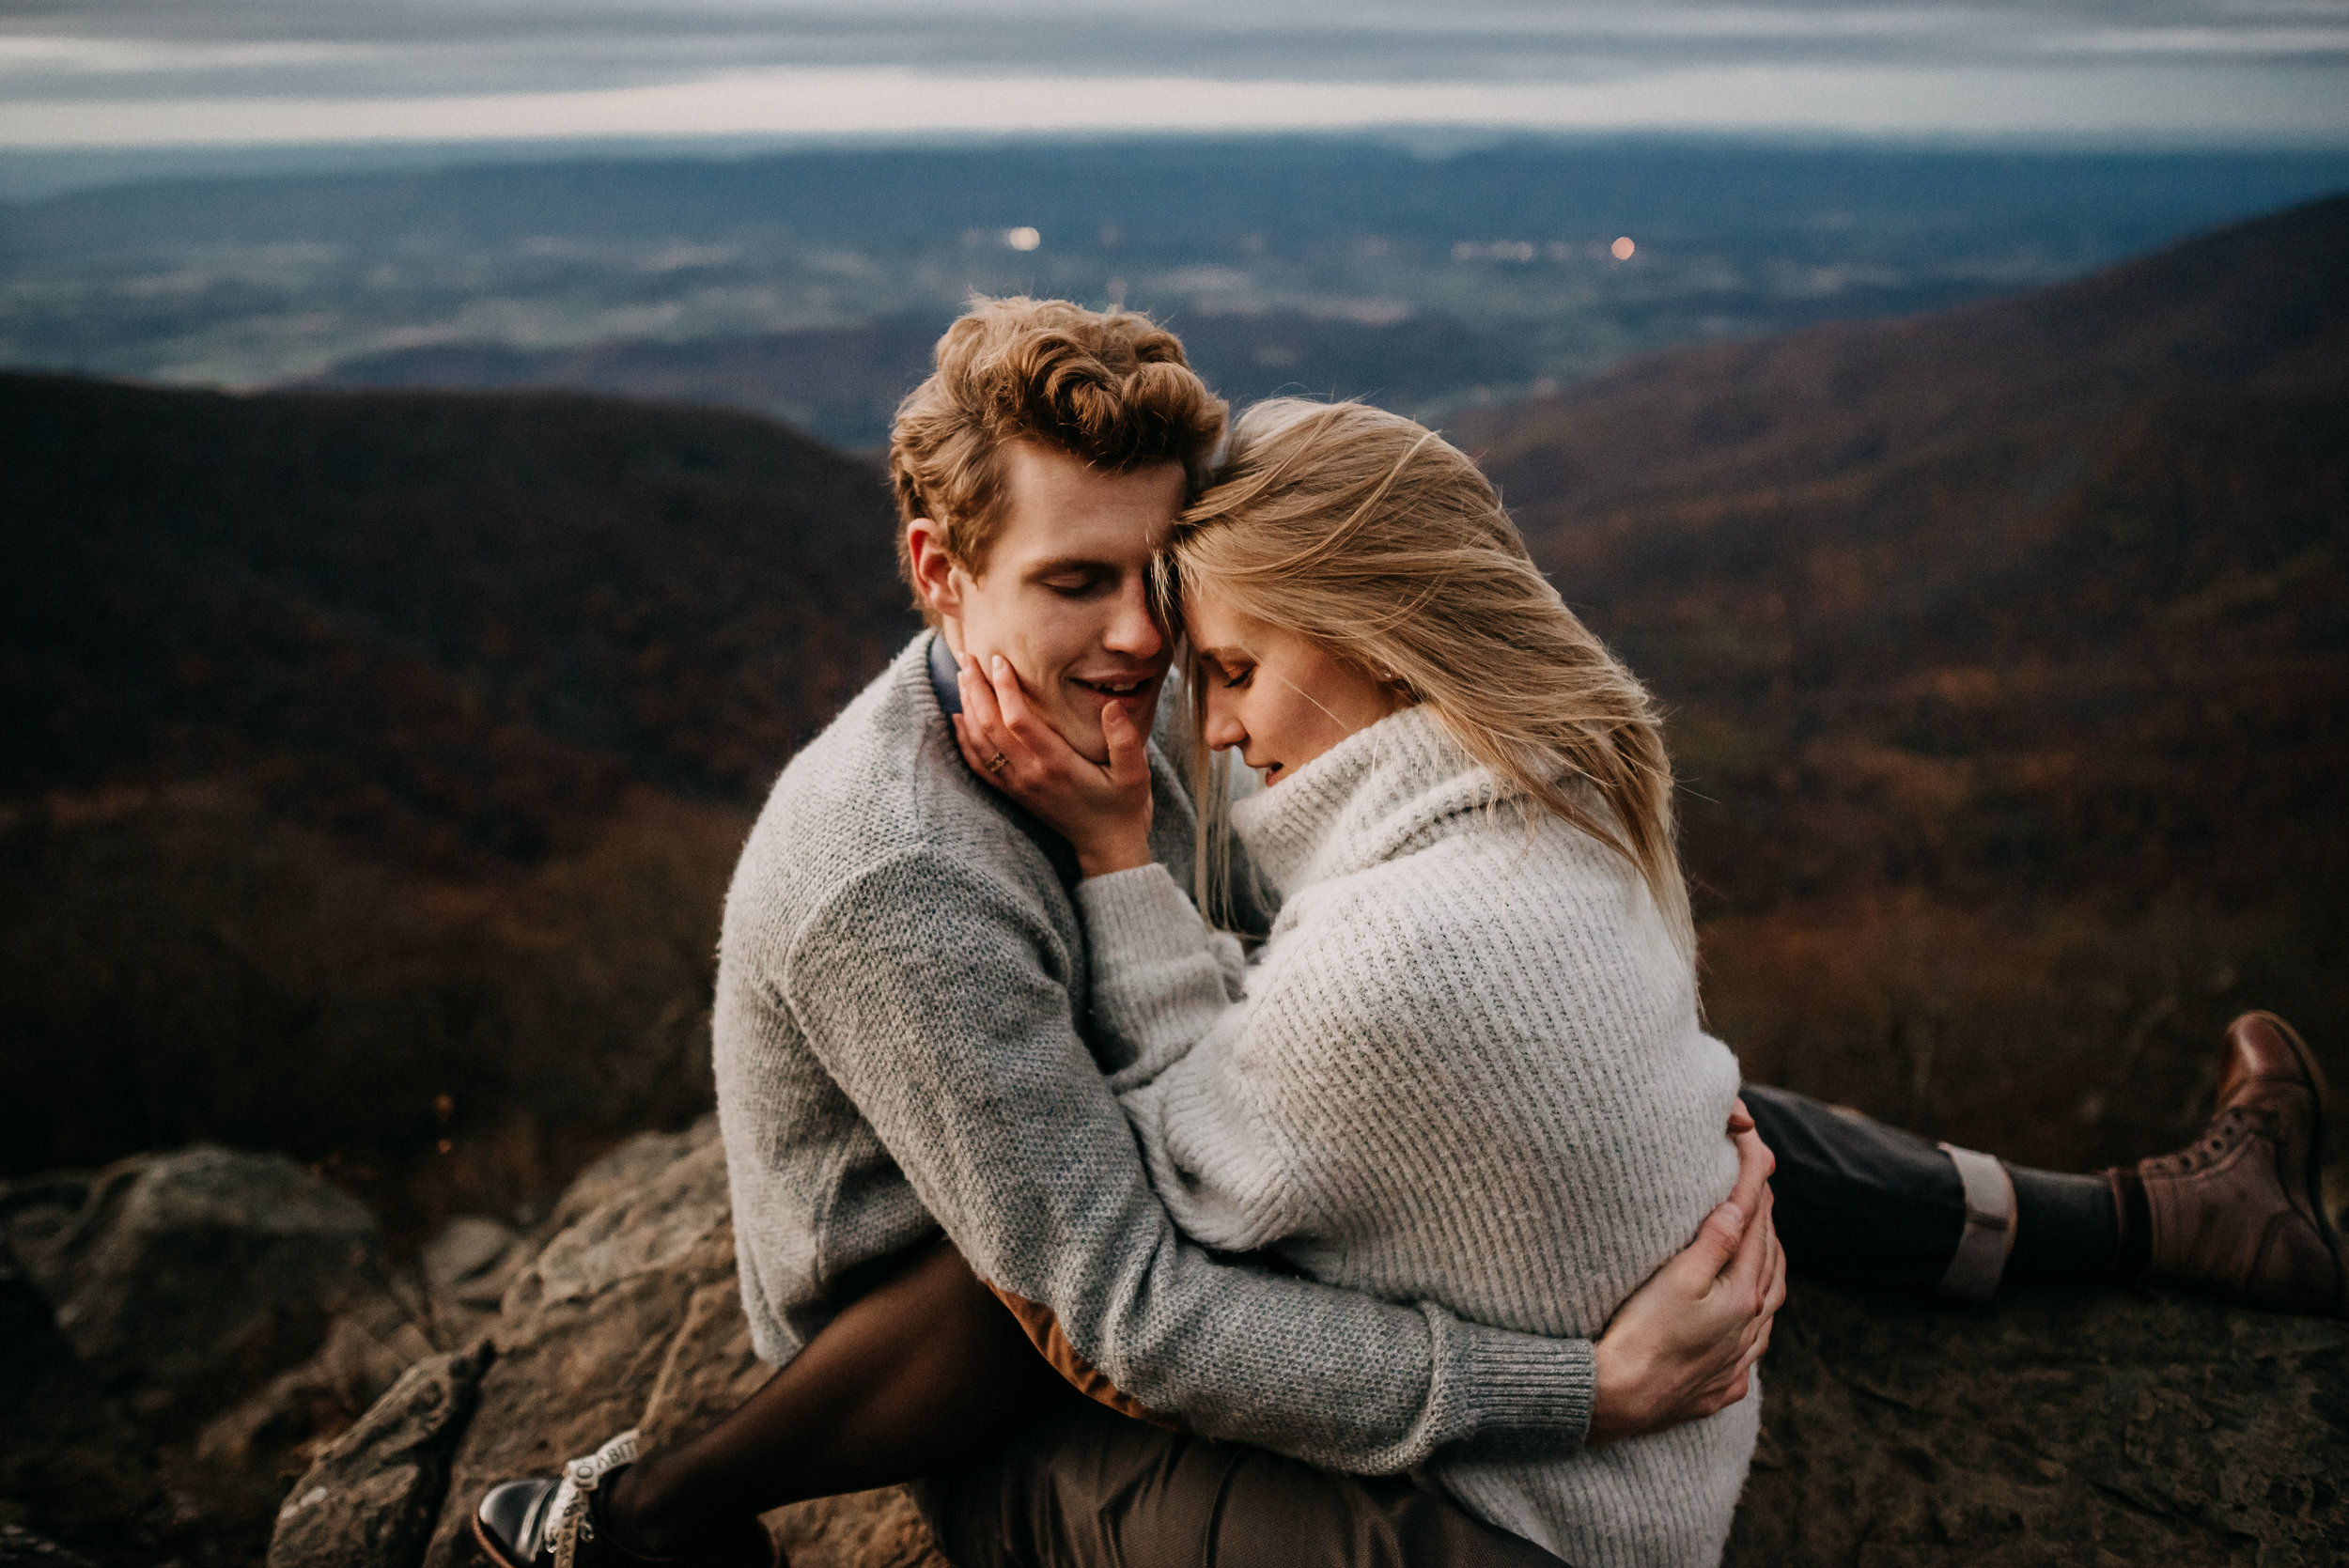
(2240, 1212)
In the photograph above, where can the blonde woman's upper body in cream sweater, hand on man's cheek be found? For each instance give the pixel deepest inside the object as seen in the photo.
(1467, 1065)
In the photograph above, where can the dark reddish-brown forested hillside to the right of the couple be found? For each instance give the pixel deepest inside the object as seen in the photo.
(2010, 658)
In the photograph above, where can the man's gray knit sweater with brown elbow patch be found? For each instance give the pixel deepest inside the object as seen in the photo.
(898, 1053)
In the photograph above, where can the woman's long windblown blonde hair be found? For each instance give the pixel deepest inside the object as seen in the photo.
(1382, 543)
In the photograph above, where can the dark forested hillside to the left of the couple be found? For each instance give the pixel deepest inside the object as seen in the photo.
(377, 764)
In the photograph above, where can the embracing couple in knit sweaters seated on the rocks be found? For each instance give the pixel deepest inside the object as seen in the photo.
(1303, 1163)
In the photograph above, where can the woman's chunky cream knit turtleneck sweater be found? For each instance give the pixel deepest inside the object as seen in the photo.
(1465, 1069)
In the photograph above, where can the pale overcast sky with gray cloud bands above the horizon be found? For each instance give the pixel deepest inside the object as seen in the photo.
(307, 72)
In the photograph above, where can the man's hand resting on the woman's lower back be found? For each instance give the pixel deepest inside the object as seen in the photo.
(1685, 1344)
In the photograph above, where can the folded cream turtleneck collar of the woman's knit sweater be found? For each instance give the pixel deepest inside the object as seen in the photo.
(1361, 802)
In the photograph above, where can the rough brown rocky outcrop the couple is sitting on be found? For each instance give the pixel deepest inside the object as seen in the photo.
(2059, 1428)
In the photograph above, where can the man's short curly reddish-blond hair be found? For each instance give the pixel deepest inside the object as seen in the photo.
(1112, 391)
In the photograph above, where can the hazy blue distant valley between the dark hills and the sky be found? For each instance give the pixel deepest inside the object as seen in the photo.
(805, 285)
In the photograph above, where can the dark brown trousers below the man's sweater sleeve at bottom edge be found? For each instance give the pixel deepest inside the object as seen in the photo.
(1093, 1489)
